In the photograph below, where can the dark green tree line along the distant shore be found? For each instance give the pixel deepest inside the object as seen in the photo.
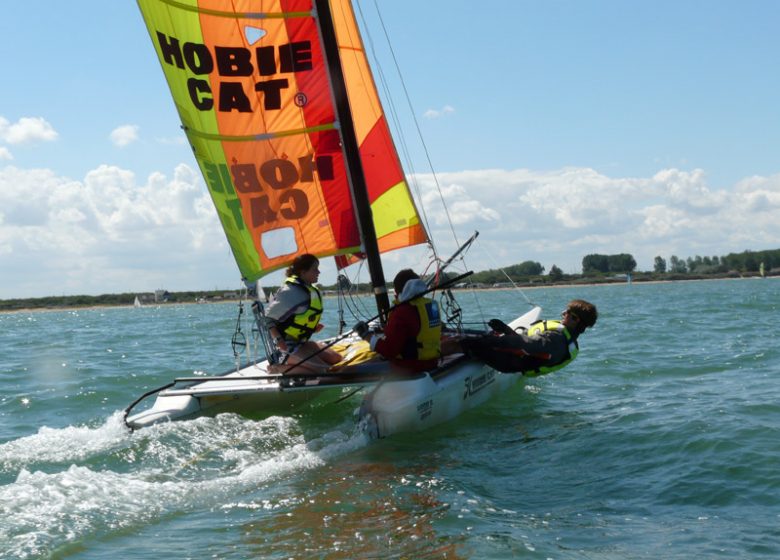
(596, 268)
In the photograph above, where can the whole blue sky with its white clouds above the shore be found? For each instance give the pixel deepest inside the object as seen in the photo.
(555, 128)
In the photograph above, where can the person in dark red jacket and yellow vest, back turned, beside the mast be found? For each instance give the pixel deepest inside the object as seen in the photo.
(411, 340)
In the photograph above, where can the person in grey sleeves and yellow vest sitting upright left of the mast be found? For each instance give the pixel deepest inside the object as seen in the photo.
(294, 315)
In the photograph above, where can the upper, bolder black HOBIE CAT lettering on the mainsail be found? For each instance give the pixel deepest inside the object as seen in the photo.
(236, 62)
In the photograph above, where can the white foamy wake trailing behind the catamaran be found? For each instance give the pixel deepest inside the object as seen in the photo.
(61, 487)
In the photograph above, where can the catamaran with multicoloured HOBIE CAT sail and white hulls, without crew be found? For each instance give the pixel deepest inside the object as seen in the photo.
(279, 104)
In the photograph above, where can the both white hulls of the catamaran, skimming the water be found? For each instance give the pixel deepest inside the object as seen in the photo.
(391, 406)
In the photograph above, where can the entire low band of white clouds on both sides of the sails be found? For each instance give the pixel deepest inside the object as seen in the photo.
(111, 232)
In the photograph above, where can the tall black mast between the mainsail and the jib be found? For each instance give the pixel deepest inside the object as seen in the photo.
(355, 173)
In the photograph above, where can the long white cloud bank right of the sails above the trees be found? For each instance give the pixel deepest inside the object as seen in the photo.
(558, 217)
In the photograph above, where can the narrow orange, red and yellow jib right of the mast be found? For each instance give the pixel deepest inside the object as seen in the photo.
(395, 217)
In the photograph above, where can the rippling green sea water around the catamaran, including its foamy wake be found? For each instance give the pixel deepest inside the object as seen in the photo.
(661, 441)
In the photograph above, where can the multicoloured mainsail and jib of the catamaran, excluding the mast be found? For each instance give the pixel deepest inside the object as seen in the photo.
(251, 86)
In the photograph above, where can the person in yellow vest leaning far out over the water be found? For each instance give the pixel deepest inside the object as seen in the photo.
(547, 346)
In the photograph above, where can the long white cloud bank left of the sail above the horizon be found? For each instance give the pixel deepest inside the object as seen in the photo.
(108, 233)
